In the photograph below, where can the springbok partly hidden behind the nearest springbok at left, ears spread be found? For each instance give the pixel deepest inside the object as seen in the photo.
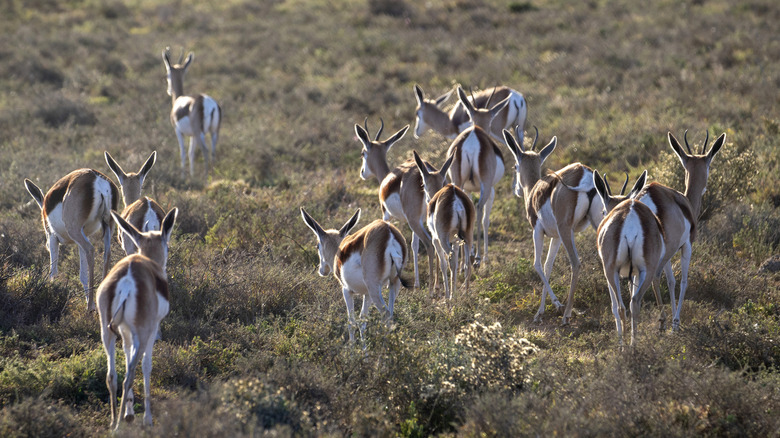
(143, 213)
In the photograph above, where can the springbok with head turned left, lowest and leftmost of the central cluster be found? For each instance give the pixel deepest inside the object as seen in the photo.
(363, 263)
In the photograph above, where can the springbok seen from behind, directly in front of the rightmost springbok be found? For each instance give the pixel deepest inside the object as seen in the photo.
(630, 244)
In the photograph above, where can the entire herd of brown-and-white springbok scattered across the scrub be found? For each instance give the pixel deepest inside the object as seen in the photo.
(637, 234)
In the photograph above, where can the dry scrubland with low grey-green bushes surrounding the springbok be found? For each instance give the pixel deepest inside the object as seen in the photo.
(256, 341)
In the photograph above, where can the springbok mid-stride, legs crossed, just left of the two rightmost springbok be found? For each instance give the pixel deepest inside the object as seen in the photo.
(557, 205)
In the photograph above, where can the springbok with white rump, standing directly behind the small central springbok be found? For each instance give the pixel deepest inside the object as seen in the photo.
(477, 166)
